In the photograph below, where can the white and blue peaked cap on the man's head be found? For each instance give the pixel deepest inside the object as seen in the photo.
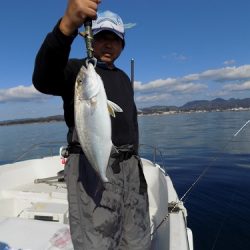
(110, 21)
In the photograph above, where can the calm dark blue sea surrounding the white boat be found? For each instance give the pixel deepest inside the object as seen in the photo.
(206, 154)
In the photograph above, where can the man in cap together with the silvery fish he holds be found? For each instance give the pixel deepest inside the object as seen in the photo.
(107, 191)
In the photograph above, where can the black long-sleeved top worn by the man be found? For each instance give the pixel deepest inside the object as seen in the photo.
(55, 74)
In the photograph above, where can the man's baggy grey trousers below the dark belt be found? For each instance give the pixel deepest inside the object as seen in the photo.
(110, 216)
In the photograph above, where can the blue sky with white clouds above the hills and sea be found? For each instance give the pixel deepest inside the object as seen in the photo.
(184, 50)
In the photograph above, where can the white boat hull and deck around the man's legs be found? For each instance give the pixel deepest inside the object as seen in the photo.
(34, 208)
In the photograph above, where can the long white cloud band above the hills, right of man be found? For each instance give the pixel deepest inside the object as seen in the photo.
(224, 82)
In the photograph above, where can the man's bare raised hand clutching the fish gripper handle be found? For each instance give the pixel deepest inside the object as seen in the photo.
(76, 13)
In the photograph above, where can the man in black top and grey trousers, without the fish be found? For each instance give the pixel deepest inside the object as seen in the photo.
(102, 216)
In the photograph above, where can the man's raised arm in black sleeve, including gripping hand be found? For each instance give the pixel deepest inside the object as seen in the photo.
(50, 70)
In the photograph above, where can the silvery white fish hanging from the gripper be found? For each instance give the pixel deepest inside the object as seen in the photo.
(92, 112)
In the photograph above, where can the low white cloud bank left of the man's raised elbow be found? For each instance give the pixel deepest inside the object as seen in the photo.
(21, 93)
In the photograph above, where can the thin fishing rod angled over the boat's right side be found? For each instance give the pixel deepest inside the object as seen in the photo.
(185, 195)
